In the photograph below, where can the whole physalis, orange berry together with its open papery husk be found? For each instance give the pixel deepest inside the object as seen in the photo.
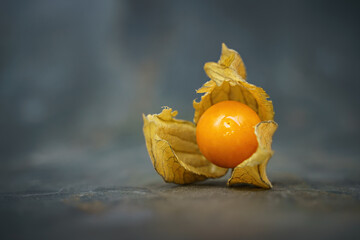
(233, 128)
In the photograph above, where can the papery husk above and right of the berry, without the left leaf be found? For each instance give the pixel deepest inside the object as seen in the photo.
(228, 83)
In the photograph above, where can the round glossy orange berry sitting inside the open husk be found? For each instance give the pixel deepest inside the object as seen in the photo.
(225, 133)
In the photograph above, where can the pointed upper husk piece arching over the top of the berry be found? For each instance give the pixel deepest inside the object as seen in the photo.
(228, 83)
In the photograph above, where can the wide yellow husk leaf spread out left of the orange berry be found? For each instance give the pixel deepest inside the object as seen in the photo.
(173, 150)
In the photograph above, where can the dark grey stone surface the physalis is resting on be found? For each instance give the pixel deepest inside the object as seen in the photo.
(116, 194)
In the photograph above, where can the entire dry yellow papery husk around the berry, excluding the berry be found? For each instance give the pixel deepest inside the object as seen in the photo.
(171, 143)
